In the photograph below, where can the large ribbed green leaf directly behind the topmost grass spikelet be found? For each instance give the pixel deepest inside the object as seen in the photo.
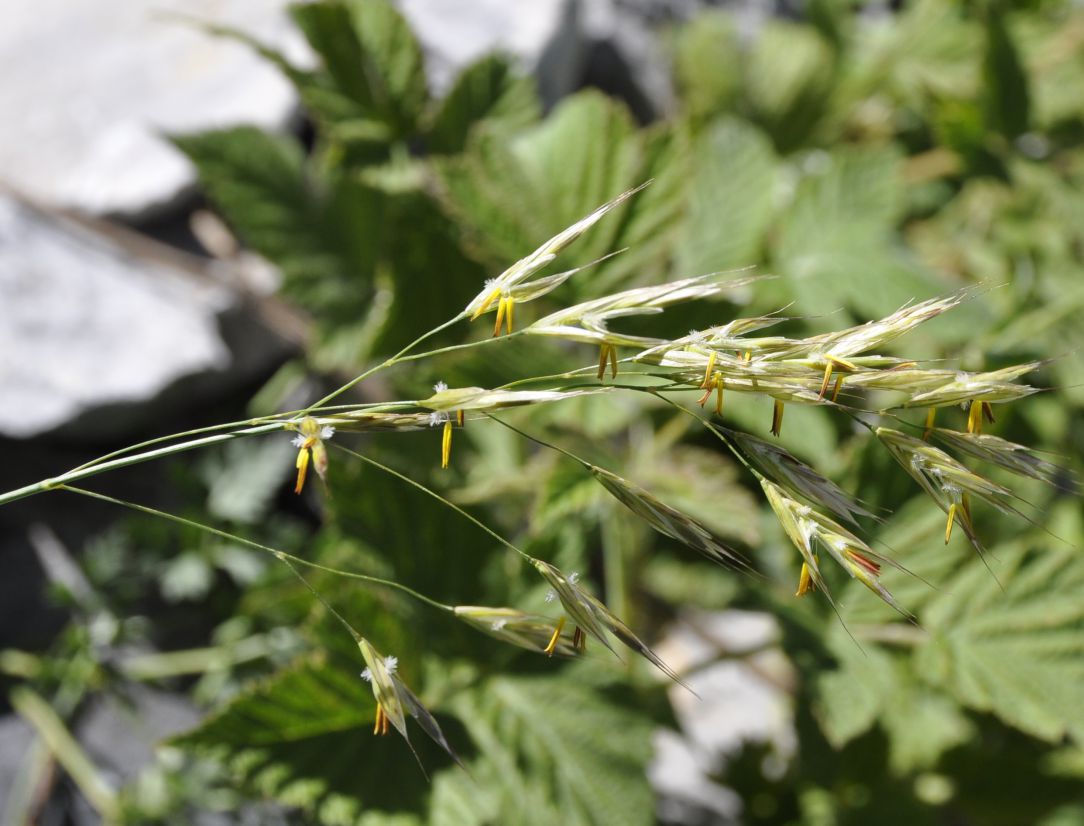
(509, 196)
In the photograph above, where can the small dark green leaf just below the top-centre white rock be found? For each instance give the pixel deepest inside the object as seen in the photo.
(488, 91)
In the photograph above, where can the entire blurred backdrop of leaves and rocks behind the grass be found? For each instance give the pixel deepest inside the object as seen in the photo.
(218, 210)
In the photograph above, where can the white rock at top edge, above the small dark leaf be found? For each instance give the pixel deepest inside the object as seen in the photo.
(543, 35)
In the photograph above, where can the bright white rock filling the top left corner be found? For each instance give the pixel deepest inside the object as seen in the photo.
(89, 87)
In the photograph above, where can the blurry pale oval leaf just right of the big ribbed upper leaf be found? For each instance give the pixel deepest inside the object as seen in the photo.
(732, 199)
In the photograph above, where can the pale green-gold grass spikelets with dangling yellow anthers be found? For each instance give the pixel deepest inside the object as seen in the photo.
(832, 370)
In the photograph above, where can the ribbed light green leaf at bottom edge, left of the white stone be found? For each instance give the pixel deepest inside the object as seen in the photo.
(551, 751)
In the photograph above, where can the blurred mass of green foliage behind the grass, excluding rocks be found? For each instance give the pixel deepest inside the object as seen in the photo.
(868, 161)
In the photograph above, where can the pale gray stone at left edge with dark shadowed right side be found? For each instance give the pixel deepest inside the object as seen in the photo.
(102, 328)
